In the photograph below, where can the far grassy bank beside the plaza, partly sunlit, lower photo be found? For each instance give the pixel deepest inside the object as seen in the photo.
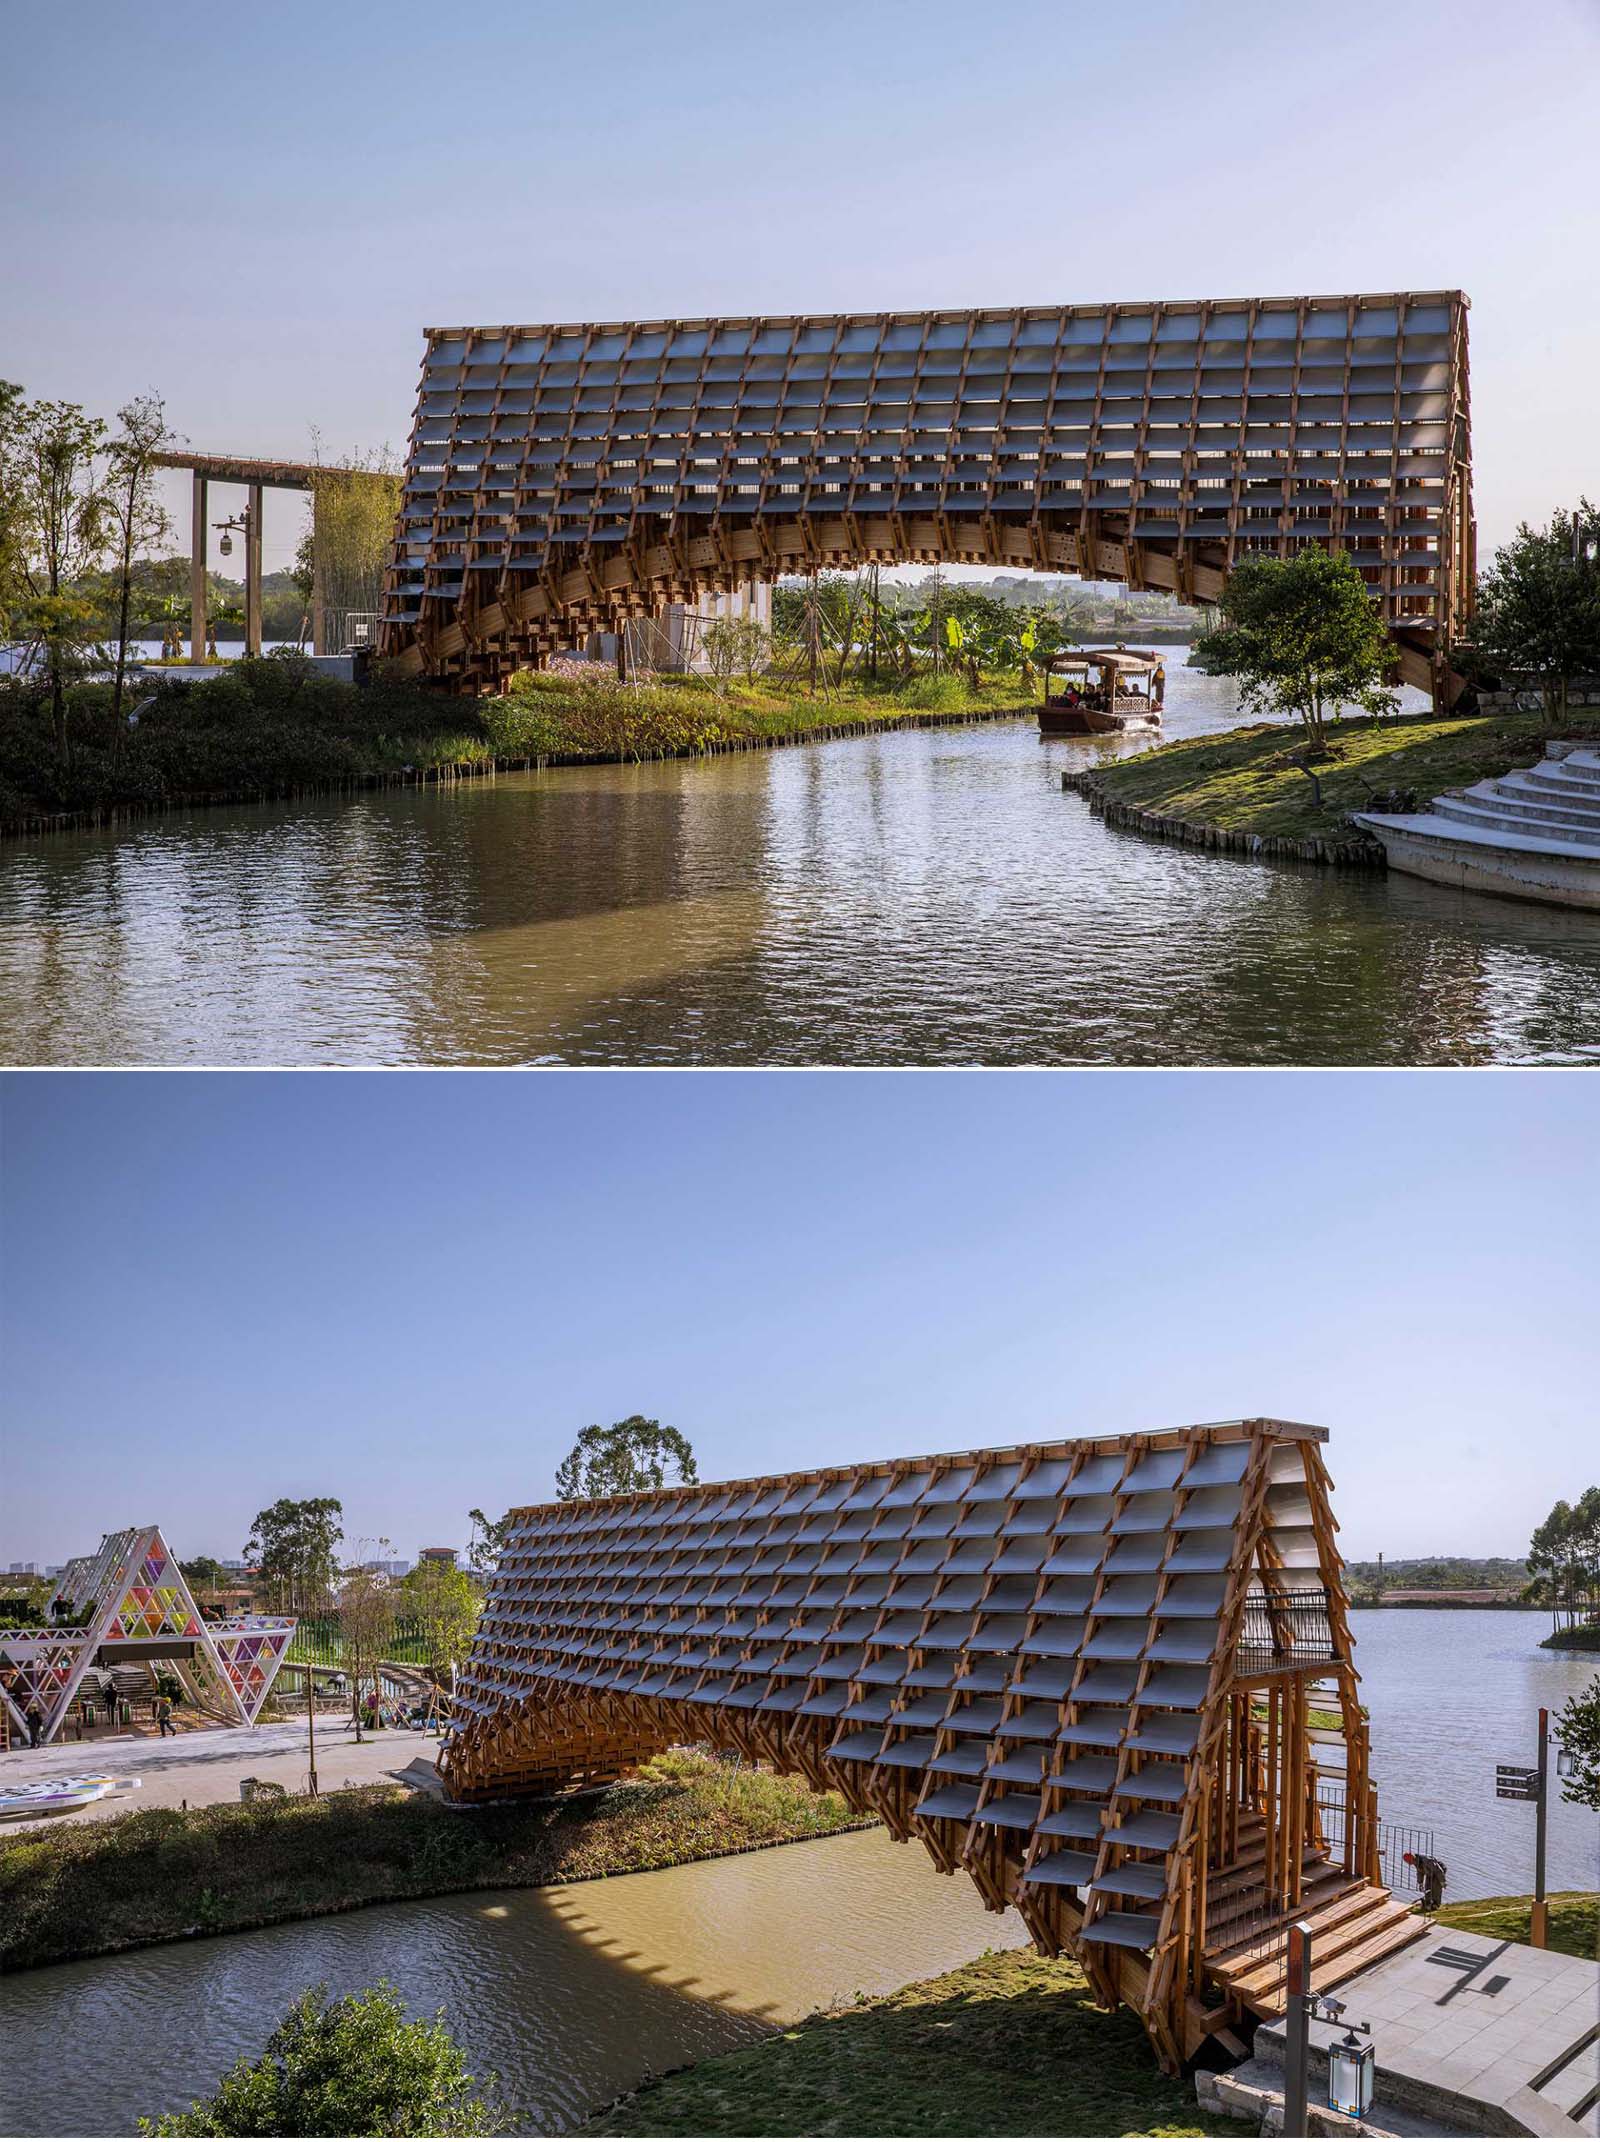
(162, 1875)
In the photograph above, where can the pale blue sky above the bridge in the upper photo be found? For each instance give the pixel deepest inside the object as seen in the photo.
(260, 211)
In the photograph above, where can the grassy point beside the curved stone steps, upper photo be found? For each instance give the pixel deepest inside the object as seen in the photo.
(1246, 781)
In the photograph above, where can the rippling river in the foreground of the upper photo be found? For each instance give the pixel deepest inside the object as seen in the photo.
(918, 899)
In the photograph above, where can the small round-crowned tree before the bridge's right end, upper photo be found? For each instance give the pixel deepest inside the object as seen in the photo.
(1301, 635)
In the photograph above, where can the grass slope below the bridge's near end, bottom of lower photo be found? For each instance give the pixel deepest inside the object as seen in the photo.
(1006, 2047)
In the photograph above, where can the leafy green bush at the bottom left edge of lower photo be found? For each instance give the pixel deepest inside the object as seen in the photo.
(346, 2068)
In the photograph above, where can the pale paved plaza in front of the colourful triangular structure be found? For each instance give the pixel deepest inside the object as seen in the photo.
(205, 1768)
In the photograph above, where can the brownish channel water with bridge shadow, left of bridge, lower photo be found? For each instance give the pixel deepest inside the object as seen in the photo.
(569, 1995)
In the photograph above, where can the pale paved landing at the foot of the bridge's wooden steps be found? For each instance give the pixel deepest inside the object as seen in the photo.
(1485, 2036)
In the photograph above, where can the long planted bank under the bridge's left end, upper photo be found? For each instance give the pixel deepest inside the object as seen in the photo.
(275, 729)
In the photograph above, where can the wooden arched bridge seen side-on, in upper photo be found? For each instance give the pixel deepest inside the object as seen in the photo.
(569, 479)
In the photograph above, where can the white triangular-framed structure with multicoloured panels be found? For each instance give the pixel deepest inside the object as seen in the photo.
(136, 1610)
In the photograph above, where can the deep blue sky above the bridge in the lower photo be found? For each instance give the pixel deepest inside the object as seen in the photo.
(414, 1291)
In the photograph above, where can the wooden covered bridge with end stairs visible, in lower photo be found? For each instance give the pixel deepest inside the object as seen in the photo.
(1108, 1680)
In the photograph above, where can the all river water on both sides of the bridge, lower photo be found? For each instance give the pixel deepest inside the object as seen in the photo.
(575, 1995)
